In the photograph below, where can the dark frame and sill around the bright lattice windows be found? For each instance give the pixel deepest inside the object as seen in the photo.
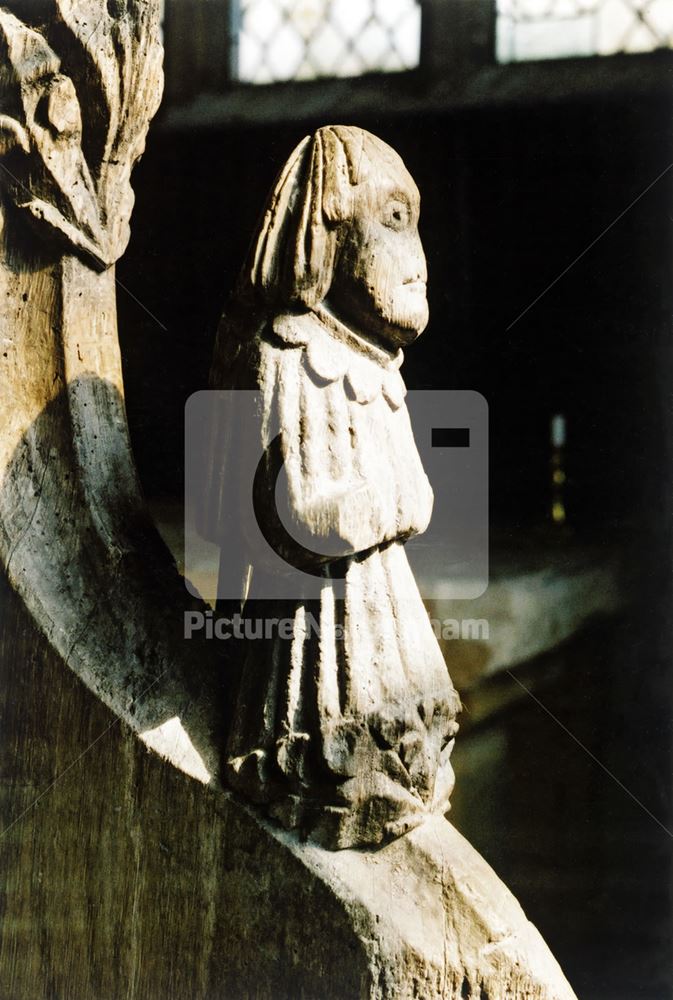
(458, 71)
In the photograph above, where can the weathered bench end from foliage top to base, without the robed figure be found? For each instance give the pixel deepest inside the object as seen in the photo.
(124, 876)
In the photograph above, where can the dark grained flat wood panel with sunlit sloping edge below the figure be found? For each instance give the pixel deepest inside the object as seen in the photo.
(129, 879)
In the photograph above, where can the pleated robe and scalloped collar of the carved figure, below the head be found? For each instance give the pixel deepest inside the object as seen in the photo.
(346, 728)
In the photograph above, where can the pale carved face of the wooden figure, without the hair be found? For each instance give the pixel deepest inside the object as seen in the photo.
(379, 284)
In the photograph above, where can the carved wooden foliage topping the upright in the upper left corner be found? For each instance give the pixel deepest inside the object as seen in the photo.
(66, 162)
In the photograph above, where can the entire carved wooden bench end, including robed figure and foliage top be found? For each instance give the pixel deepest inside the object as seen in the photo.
(116, 858)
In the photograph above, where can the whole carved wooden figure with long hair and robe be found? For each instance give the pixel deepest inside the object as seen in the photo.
(346, 729)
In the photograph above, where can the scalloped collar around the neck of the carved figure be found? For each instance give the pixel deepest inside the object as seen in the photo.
(334, 353)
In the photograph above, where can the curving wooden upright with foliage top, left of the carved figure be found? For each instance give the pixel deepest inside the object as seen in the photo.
(80, 83)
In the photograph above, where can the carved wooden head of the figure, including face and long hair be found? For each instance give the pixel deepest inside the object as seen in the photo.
(341, 227)
